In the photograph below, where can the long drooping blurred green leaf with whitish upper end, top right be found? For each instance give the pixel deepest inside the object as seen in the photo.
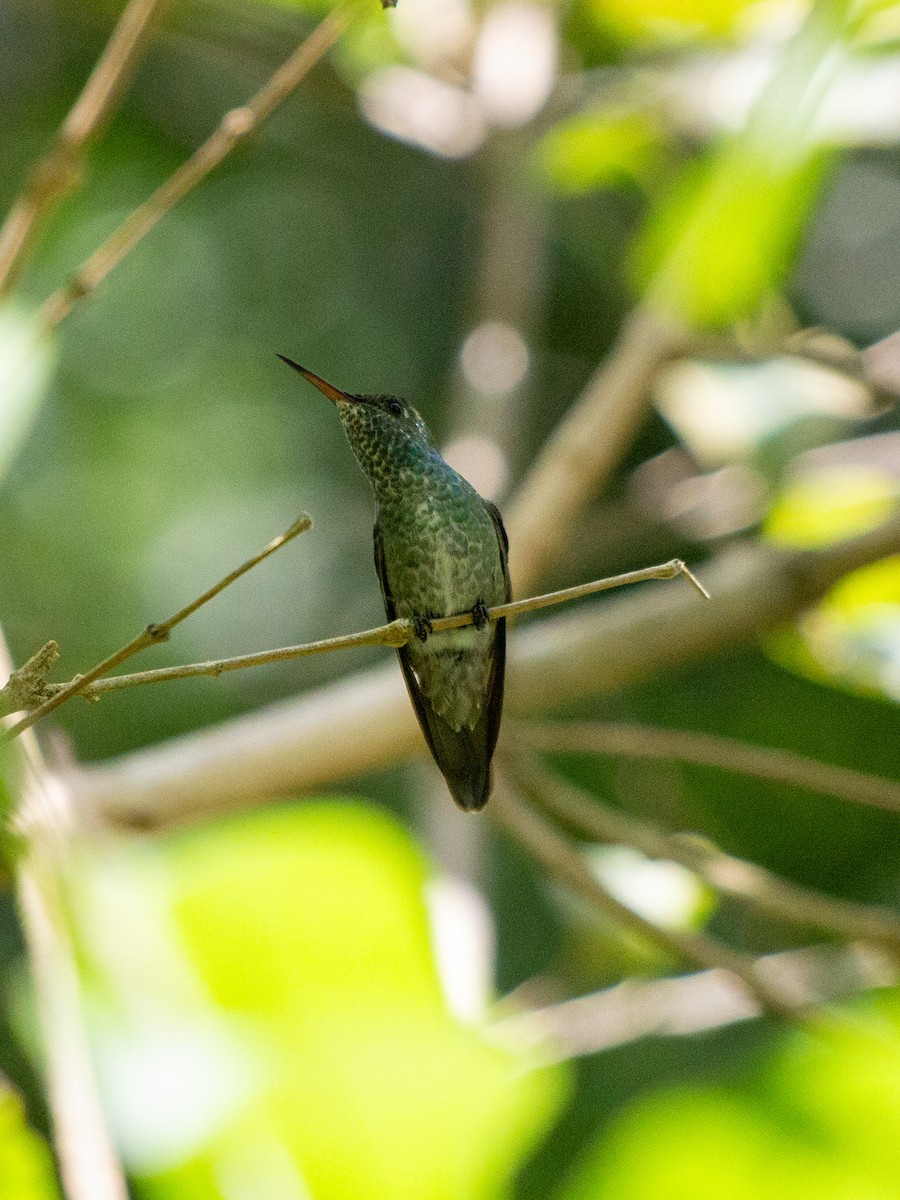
(729, 231)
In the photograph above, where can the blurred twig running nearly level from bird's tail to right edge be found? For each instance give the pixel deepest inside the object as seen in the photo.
(724, 754)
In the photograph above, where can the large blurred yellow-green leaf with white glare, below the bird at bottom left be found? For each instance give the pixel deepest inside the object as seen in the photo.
(304, 1015)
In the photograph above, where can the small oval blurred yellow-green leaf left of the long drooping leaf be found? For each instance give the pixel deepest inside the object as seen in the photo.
(599, 151)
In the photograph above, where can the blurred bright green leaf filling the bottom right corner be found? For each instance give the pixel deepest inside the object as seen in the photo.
(821, 1125)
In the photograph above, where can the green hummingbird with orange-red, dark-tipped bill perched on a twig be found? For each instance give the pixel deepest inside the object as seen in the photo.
(440, 550)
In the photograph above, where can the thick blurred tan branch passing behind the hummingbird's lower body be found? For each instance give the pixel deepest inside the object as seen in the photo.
(364, 723)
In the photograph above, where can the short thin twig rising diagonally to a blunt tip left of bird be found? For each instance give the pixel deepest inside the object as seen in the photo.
(153, 635)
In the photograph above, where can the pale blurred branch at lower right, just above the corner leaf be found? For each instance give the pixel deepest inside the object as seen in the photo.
(688, 1005)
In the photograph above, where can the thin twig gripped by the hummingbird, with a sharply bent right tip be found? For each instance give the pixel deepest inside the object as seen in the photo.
(397, 634)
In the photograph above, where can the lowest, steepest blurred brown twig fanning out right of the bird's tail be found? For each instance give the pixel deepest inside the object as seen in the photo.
(562, 861)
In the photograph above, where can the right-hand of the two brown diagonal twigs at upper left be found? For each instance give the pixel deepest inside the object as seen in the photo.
(235, 128)
